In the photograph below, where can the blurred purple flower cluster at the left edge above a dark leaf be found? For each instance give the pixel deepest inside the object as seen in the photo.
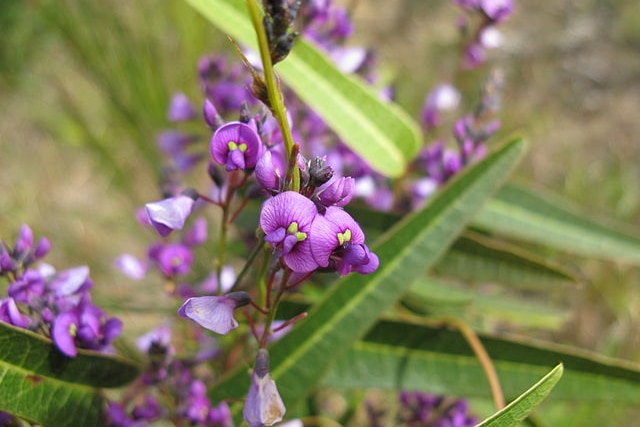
(55, 303)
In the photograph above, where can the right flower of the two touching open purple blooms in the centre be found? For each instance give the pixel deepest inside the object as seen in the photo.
(337, 242)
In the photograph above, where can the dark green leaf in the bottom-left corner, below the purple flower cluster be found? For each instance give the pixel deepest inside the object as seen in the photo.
(51, 389)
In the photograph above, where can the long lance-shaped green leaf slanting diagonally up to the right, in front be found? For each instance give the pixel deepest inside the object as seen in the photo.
(353, 304)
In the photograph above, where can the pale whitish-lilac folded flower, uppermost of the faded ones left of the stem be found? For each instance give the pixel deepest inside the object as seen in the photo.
(170, 214)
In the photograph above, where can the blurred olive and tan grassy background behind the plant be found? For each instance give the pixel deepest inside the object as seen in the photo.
(85, 86)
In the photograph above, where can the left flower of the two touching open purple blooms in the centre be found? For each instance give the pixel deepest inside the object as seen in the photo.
(286, 221)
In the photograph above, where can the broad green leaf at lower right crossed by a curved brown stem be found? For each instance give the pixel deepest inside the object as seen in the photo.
(439, 360)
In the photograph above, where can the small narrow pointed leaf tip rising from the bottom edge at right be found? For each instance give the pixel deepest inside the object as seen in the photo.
(520, 408)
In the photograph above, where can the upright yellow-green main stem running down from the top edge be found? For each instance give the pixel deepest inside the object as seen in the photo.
(273, 92)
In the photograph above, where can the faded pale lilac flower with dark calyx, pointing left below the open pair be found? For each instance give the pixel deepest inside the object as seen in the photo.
(214, 313)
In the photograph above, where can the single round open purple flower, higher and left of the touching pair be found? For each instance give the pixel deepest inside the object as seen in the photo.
(236, 145)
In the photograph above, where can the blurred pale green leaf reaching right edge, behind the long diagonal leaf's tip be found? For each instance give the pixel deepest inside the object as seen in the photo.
(523, 214)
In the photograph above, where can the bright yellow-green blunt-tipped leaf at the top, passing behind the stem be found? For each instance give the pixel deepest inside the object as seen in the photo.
(380, 132)
